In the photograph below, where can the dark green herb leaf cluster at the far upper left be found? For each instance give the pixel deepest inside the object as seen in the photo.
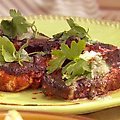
(15, 27)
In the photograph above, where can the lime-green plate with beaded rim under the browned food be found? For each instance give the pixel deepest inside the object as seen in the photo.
(34, 100)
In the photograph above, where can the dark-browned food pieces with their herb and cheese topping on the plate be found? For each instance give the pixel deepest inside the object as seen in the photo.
(67, 66)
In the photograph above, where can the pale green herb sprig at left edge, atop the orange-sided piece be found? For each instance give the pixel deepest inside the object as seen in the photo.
(8, 52)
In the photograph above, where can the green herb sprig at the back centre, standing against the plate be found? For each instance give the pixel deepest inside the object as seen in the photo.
(75, 30)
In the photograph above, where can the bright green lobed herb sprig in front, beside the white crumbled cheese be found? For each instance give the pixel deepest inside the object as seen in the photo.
(76, 67)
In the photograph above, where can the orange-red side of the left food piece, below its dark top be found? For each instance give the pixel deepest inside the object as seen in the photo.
(11, 83)
